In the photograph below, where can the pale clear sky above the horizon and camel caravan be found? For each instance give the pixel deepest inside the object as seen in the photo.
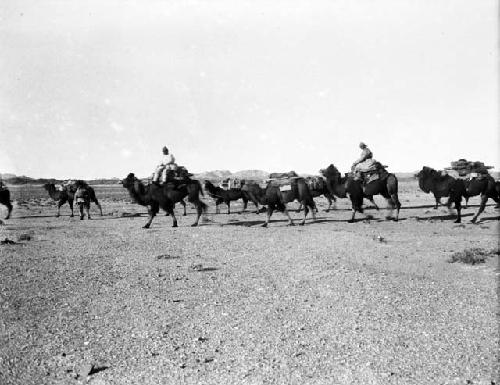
(95, 89)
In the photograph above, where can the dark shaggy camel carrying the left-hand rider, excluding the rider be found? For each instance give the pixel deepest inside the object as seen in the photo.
(156, 196)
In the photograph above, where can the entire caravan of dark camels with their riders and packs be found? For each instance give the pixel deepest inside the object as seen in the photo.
(171, 184)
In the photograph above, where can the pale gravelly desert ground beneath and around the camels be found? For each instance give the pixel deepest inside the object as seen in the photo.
(103, 301)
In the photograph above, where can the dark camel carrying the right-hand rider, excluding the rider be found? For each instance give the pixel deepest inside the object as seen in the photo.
(357, 191)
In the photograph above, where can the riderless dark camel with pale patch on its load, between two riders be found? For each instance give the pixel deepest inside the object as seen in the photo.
(277, 197)
